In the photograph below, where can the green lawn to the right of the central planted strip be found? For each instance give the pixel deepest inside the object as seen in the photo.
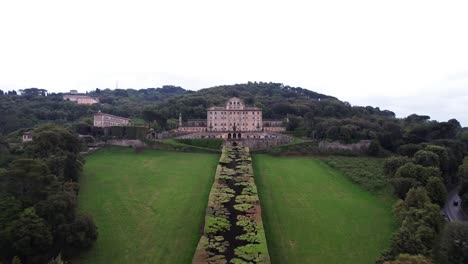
(314, 214)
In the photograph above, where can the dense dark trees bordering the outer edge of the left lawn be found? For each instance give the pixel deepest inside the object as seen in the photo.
(39, 218)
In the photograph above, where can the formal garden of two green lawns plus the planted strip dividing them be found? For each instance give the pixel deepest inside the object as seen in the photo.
(177, 207)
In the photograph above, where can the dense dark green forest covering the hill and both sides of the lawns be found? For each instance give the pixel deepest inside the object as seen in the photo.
(39, 179)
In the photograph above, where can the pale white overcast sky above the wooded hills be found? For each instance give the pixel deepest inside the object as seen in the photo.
(405, 56)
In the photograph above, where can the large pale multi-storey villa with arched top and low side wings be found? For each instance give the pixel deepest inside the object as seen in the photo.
(235, 116)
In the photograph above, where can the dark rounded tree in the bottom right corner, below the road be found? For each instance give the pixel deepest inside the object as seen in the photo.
(453, 245)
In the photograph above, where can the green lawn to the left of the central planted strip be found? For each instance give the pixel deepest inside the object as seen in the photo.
(148, 207)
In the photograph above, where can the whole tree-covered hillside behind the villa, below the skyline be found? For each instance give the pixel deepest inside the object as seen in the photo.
(311, 114)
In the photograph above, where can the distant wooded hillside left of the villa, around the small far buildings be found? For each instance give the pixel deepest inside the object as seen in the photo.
(33, 107)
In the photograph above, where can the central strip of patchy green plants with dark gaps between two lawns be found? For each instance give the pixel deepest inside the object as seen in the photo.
(233, 230)
